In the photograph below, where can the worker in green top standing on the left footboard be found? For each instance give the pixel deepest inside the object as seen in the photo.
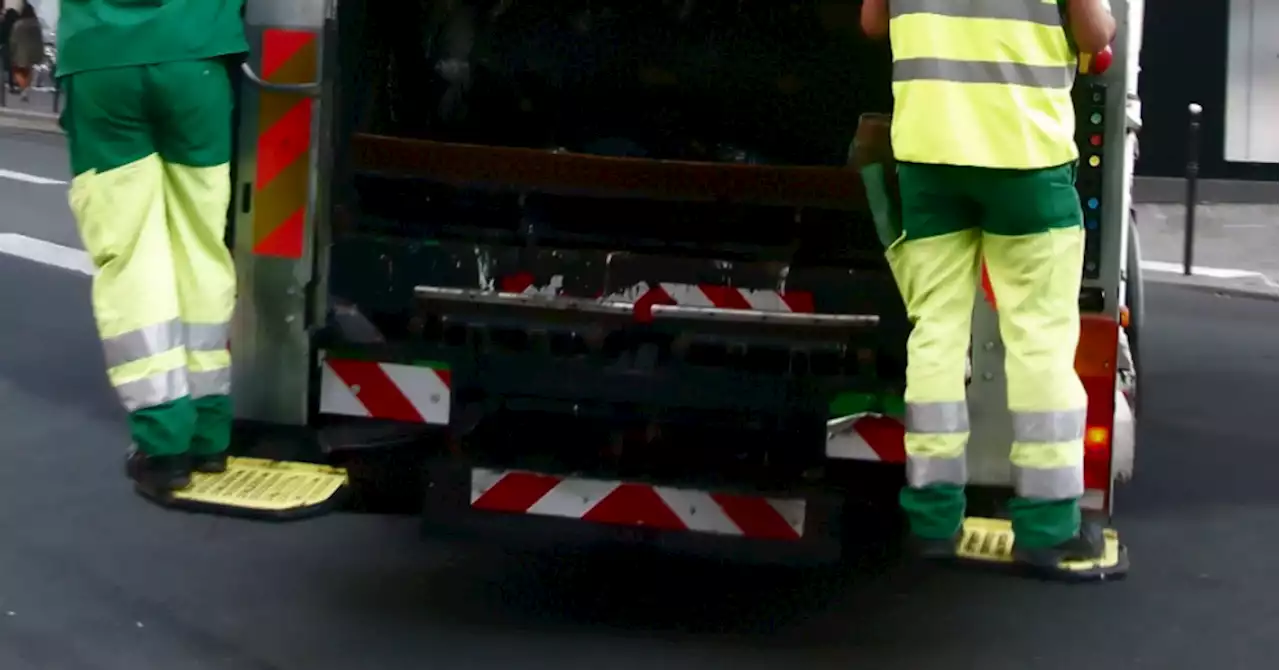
(149, 129)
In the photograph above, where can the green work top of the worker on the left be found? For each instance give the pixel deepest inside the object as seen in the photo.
(116, 34)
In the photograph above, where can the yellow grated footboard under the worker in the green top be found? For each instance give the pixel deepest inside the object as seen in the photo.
(263, 490)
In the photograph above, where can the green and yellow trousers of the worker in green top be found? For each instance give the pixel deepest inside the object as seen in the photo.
(150, 152)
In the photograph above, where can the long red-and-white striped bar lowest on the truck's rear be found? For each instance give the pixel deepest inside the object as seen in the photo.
(637, 505)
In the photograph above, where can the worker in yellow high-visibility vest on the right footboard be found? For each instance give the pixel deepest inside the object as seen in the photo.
(984, 133)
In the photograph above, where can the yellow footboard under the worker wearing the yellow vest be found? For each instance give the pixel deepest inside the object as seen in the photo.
(990, 544)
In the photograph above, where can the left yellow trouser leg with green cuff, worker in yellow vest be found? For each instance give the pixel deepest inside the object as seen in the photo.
(936, 277)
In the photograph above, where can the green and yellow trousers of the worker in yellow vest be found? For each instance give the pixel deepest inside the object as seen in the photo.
(1027, 226)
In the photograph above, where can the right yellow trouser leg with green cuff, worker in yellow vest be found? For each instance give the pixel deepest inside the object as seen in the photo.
(1037, 280)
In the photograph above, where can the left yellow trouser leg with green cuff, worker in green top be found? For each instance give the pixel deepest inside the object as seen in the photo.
(121, 216)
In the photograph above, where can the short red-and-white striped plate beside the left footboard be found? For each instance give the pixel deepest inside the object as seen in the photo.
(385, 391)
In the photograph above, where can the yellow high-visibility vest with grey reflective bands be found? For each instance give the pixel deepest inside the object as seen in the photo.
(982, 84)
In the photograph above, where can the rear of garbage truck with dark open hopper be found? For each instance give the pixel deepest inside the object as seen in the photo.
(609, 268)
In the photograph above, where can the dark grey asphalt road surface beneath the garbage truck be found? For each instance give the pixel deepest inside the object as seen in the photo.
(94, 578)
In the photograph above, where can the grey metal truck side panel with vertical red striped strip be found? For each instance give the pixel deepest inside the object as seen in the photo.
(276, 213)
